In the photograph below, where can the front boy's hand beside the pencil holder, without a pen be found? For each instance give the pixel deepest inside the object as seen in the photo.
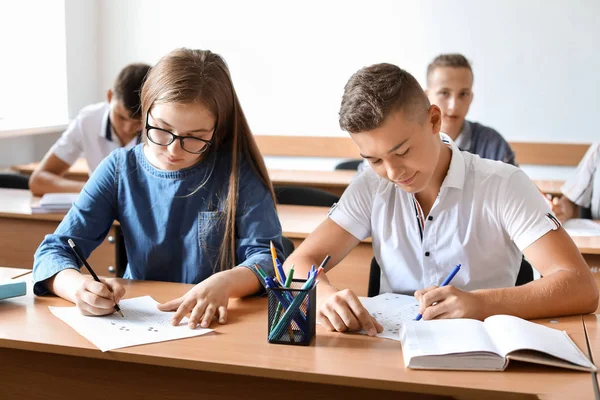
(342, 311)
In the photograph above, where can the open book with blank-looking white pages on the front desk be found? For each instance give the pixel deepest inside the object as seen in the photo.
(467, 344)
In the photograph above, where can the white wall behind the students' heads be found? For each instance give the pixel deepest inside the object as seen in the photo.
(535, 62)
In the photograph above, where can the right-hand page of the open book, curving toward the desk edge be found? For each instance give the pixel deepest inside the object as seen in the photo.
(512, 333)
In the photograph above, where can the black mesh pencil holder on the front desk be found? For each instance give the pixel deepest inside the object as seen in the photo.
(292, 314)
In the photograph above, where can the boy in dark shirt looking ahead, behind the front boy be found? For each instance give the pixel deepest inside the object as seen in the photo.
(450, 87)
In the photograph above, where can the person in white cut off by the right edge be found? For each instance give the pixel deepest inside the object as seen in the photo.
(582, 189)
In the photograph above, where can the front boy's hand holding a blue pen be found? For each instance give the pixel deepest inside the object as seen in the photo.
(449, 302)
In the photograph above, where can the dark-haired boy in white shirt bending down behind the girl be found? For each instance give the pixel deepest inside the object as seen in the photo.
(97, 130)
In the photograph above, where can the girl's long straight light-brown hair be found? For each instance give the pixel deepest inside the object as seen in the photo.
(200, 76)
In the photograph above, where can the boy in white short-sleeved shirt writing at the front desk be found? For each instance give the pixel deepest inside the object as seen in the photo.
(429, 206)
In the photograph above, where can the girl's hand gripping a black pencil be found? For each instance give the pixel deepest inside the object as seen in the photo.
(95, 298)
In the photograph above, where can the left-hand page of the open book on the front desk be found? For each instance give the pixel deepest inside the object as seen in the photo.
(444, 336)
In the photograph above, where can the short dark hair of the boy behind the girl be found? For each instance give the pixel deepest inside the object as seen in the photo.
(128, 86)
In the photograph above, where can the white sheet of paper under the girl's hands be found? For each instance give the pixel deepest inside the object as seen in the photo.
(143, 323)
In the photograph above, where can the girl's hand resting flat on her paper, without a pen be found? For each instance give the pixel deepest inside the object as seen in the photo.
(206, 300)
